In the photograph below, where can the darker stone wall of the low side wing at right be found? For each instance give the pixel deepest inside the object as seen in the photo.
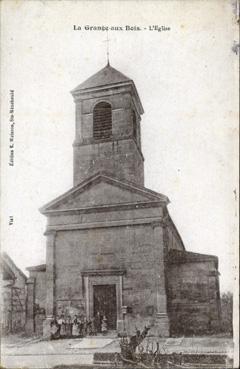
(193, 296)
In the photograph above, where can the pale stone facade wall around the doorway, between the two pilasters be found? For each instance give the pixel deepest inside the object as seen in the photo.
(129, 248)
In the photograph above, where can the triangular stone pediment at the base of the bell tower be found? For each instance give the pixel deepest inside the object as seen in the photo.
(102, 190)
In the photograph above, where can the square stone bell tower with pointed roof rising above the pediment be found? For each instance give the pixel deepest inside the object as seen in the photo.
(108, 135)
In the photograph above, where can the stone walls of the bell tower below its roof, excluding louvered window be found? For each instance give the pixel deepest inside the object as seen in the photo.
(119, 155)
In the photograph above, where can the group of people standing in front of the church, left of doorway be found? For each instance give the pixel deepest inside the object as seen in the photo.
(79, 326)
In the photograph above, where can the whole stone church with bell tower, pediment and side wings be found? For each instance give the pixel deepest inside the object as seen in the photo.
(111, 243)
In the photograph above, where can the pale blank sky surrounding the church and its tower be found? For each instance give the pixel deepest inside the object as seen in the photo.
(185, 79)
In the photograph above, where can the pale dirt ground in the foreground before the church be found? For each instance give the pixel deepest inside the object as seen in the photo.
(34, 353)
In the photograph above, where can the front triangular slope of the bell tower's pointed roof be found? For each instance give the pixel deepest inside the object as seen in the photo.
(106, 76)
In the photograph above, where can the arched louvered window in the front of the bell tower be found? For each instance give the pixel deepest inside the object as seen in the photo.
(102, 121)
